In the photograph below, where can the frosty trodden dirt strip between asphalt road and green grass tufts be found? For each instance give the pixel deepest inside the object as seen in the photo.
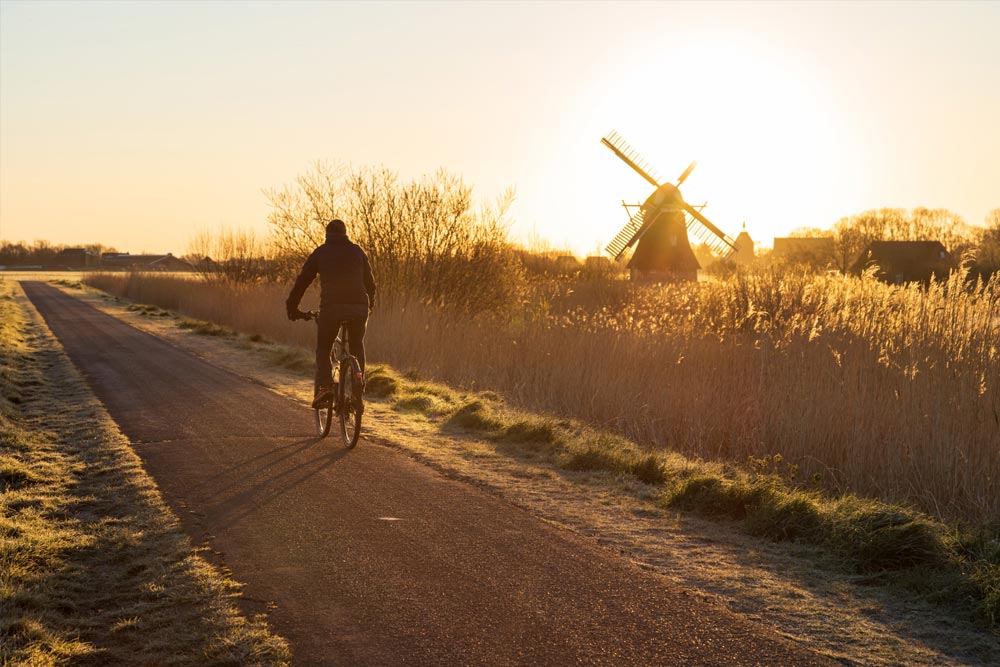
(794, 588)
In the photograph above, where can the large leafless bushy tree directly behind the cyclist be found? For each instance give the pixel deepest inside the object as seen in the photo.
(424, 237)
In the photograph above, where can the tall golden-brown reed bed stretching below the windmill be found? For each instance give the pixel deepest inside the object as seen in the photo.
(891, 392)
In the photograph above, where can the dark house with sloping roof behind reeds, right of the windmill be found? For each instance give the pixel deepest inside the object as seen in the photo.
(901, 262)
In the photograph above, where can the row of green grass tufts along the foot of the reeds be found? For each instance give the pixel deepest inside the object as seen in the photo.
(888, 544)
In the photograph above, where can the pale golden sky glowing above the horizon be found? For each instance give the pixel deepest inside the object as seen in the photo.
(141, 124)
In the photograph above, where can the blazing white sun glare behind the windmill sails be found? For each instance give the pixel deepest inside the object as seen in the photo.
(764, 134)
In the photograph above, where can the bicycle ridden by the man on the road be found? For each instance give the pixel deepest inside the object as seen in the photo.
(347, 403)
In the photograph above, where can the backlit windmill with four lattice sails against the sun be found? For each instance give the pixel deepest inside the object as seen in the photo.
(660, 226)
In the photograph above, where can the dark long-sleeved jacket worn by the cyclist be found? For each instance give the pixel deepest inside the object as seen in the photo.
(345, 276)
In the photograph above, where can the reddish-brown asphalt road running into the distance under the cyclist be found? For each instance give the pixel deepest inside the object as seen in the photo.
(367, 557)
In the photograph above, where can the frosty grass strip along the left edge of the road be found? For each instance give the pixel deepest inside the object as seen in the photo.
(94, 569)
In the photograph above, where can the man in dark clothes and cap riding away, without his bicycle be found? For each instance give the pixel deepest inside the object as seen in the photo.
(347, 294)
